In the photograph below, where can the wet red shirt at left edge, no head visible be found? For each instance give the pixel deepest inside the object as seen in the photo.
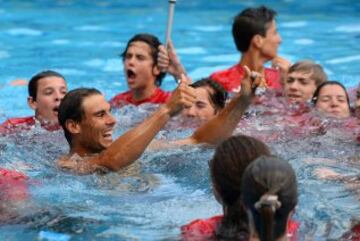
(13, 185)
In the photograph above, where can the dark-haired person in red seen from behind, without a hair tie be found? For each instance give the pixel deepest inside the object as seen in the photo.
(230, 160)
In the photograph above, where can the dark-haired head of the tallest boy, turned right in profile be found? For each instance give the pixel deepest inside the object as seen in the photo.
(255, 28)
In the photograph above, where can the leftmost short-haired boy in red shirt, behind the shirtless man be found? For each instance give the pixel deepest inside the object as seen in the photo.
(46, 90)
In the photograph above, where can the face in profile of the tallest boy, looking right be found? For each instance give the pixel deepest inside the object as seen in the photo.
(271, 41)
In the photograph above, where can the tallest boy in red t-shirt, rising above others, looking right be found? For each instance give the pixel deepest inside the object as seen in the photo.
(256, 37)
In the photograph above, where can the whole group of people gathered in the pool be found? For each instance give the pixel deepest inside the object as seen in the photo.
(257, 190)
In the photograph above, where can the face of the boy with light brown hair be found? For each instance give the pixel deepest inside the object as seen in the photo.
(299, 87)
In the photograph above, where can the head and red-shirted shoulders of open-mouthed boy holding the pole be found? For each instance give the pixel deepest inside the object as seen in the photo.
(142, 73)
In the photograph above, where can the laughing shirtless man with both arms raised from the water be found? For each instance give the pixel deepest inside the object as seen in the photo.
(88, 124)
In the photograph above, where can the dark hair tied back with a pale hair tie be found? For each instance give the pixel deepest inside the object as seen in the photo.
(270, 194)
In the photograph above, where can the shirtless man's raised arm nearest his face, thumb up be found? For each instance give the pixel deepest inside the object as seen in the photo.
(130, 146)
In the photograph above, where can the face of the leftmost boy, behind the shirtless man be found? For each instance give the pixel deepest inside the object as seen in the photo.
(50, 92)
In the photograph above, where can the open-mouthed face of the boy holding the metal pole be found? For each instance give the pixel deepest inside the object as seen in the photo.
(139, 67)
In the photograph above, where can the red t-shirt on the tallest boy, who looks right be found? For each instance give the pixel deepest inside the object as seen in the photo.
(231, 78)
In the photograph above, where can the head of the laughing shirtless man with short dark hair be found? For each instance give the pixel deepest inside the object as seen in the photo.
(85, 116)
